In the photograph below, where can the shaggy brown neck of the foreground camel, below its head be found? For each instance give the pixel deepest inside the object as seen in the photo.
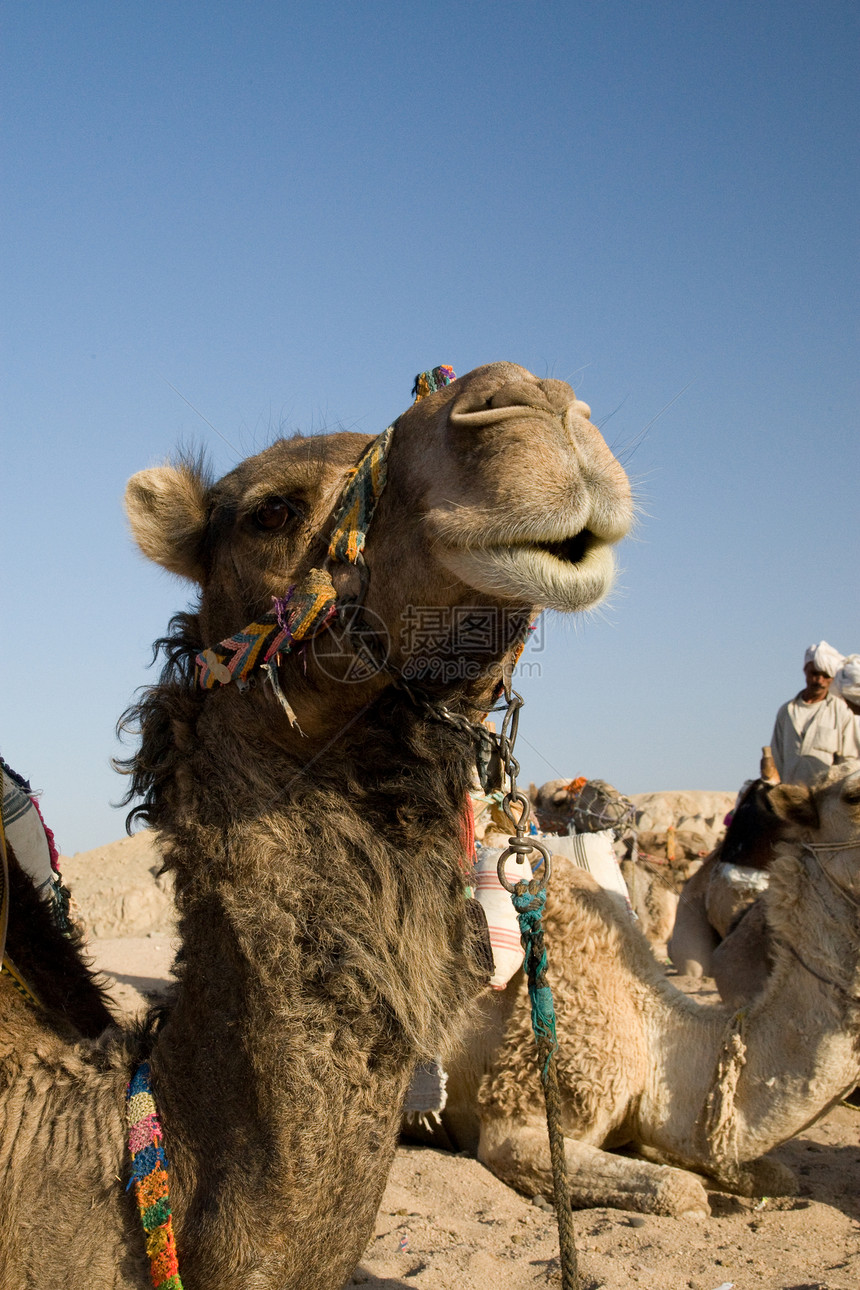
(324, 951)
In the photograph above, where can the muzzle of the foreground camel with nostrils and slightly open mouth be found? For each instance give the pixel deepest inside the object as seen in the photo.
(520, 497)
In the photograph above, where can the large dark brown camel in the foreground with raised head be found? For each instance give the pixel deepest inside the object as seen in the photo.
(311, 816)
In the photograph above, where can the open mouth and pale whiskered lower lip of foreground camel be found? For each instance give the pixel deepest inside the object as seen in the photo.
(567, 575)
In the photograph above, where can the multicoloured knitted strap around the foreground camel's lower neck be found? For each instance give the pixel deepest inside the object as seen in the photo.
(150, 1180)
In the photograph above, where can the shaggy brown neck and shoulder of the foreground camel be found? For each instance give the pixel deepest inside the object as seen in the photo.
(326, 950)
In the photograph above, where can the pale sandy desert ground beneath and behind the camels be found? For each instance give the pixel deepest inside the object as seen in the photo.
(447, 1224)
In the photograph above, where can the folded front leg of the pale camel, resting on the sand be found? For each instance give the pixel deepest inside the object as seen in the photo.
(520, 1156)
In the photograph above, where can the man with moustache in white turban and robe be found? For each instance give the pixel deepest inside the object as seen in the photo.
(816, 729)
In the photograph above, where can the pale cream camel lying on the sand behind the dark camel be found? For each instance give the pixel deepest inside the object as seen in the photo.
(696, 1089)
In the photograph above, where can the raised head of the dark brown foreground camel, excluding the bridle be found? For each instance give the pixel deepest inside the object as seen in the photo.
(501, 500)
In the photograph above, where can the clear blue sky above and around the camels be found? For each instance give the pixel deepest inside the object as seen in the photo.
(286, 211)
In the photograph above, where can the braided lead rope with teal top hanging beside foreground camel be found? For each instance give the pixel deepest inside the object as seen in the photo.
(529, 901)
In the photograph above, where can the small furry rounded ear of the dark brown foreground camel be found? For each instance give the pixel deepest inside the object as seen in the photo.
(167, 509)
